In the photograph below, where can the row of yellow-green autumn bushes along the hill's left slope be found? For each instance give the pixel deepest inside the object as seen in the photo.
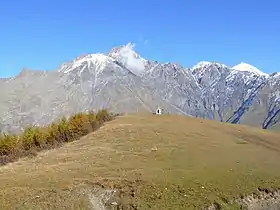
(34, 139)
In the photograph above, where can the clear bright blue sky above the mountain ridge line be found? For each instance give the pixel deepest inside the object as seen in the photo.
(43, 34)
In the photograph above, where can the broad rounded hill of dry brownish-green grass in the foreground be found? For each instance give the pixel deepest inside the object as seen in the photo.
(147, 162)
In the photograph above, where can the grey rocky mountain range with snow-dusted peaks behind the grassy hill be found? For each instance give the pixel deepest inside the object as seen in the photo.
(123, 81)
